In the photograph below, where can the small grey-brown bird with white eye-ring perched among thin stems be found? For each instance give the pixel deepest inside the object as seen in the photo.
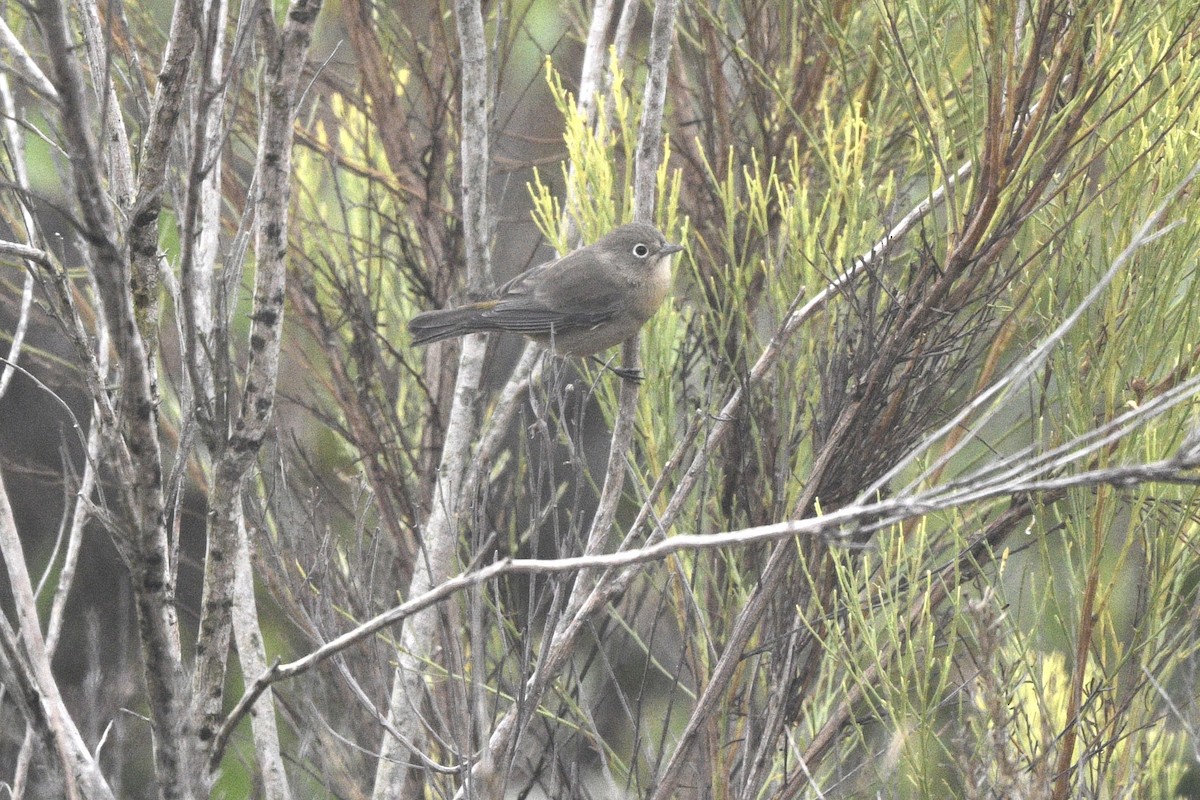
(587, 302)
